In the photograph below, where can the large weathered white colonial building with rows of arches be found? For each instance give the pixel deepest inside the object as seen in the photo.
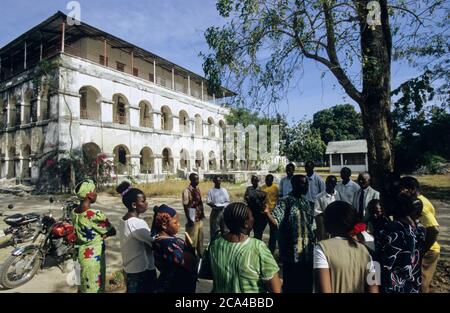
(77, 89)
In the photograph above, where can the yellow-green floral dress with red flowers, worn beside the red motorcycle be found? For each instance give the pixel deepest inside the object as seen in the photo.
(90, 227)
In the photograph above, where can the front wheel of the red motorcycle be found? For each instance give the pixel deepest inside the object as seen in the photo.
(12, 272)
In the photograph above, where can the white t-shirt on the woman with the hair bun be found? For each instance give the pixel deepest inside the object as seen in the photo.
(136, 245)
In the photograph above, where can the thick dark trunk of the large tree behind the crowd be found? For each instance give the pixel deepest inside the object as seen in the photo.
(376, 44)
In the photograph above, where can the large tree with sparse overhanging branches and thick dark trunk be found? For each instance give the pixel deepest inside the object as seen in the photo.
(264, 43)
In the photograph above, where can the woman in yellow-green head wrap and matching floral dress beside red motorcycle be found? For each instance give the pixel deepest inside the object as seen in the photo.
(92, 228)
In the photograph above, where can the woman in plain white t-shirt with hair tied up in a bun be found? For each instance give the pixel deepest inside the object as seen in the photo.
(136, 242)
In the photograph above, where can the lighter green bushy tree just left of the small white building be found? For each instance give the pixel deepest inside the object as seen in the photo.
(304, 143)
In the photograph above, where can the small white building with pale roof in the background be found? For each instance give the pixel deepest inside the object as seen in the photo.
(350, 153)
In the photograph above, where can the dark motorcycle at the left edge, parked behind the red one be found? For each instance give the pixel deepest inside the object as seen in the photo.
(21, 228)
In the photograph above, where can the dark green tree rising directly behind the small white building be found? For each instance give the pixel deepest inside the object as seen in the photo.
(338, 123)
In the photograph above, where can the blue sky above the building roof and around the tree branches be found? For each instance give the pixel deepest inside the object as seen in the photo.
(174, 30)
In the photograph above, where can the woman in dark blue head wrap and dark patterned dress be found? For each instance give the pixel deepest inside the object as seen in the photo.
(174, 258)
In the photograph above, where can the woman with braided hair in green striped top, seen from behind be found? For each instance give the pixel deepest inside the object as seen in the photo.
(238, 263)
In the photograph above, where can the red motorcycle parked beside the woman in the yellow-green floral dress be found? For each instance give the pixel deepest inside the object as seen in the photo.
(54, 238)
